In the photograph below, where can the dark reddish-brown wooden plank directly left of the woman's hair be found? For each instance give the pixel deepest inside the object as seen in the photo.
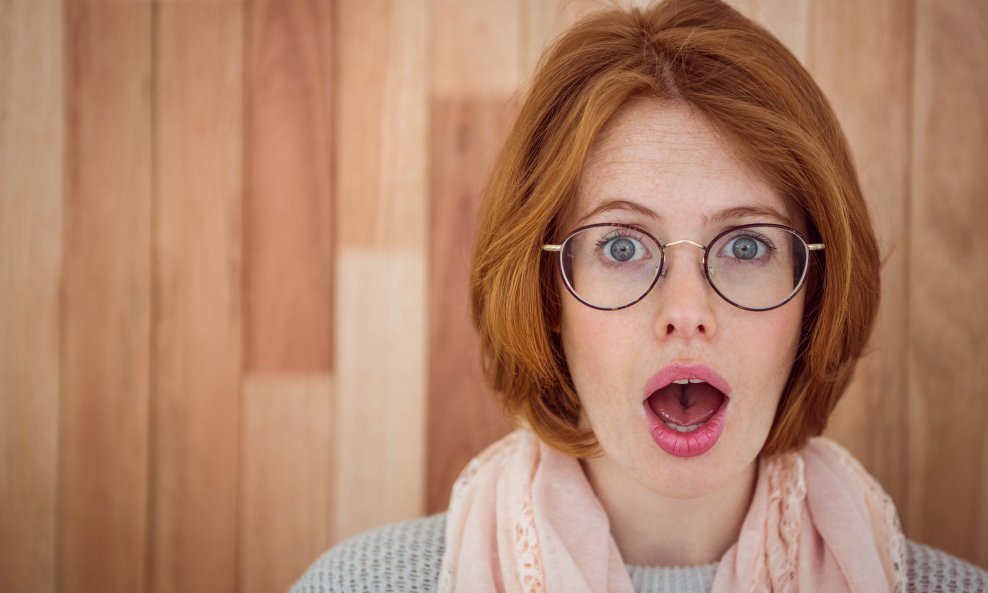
(463, 414)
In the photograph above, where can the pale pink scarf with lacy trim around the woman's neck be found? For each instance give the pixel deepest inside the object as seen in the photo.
(523, 518)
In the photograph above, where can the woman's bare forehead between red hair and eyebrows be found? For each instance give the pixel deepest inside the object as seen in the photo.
(671, 160)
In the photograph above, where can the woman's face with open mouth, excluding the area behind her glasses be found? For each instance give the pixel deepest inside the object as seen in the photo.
(662, 168)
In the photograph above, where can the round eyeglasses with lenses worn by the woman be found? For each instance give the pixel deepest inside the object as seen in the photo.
(756, 267)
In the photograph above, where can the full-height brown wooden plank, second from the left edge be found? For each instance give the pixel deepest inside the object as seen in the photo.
(107, 300)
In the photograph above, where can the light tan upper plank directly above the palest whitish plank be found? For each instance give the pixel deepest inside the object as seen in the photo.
(382, 115)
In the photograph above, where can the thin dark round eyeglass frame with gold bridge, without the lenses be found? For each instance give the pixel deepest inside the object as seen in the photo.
(810, 247)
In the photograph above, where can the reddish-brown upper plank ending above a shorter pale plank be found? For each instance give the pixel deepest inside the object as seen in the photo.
(289, 223)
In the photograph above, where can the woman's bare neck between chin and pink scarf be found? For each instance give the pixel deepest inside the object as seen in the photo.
(655, 530)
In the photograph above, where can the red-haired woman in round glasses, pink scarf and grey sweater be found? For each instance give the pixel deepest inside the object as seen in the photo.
(674, 277)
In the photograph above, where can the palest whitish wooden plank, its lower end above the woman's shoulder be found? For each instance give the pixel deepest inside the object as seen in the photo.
(380, 426)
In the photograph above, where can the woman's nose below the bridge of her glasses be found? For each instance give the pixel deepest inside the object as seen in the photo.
(685, 297)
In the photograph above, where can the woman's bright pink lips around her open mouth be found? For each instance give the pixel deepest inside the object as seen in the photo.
(701, 440)
